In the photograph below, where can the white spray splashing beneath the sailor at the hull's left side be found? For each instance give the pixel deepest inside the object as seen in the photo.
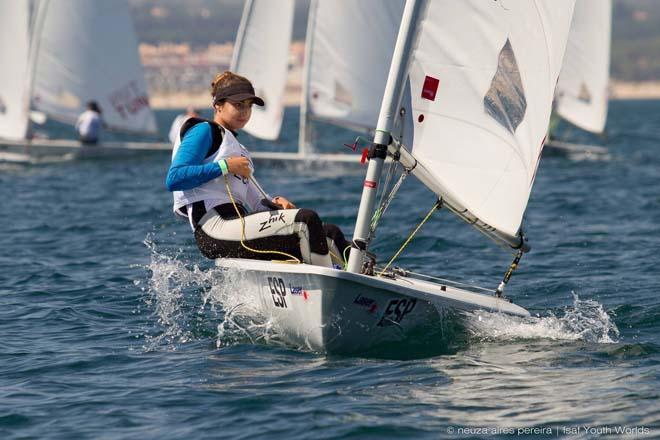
(181, 295)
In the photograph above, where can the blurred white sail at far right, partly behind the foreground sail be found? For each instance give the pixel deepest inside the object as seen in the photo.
(582, 88)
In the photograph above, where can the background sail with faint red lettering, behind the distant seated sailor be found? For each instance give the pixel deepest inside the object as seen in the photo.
(87, 50)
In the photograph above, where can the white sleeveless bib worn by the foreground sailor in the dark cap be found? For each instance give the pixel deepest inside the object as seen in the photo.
(214, 192)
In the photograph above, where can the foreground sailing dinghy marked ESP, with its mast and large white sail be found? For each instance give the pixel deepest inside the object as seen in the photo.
(480, 102)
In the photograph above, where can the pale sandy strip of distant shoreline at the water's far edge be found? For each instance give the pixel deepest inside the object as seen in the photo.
(619, 90)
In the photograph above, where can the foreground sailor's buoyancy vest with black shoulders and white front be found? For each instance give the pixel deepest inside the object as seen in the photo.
(224, 145)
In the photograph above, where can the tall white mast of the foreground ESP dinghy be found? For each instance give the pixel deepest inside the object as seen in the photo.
(403, 50)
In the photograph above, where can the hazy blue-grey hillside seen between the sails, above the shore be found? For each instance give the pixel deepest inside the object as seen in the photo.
(635, 39)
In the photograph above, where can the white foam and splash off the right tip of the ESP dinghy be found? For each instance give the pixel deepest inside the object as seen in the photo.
(585, 320)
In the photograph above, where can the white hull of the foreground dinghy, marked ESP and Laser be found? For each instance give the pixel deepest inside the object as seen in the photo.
(334, 311)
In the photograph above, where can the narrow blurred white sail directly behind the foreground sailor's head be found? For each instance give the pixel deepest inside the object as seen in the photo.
(262, 54)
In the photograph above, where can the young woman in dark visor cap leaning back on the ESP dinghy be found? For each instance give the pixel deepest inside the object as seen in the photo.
(211, 178)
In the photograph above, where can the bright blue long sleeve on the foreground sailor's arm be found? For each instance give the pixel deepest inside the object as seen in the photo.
(188, 170)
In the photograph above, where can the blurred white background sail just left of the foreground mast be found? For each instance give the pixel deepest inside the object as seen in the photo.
(349, 59)
